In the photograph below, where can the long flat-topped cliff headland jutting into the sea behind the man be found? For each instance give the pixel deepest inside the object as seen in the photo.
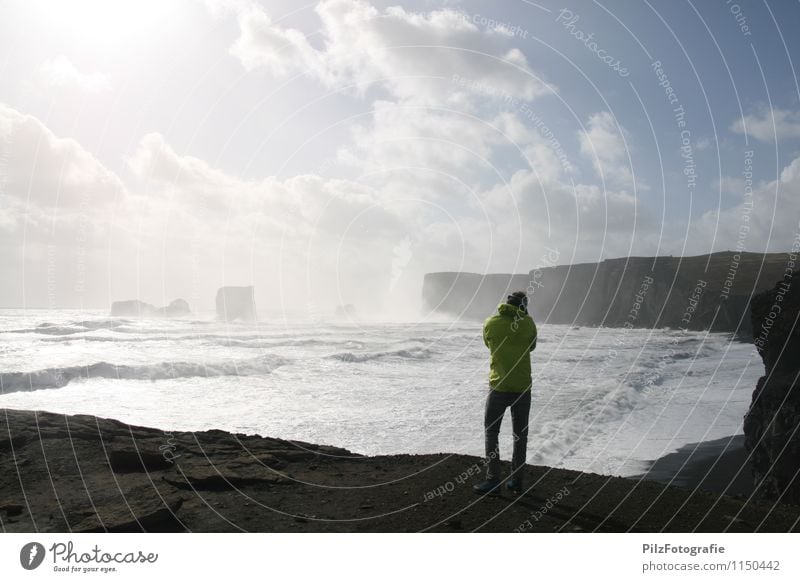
(704, 292)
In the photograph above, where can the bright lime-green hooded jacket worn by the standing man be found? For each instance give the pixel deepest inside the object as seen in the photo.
(510, 335)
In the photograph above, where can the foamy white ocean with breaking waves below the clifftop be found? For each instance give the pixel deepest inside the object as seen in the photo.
(605, 400)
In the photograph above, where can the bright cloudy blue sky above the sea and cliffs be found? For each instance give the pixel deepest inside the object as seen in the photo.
(336, 151)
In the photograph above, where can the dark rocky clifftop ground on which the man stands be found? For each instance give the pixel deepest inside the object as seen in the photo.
(81, 473)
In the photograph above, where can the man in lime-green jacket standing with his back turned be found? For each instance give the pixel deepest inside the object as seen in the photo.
(510, 335)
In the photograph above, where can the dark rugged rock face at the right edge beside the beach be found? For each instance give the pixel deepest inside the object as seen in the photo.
(772, 424)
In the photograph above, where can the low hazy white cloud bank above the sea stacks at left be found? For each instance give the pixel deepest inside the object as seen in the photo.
(72, 234)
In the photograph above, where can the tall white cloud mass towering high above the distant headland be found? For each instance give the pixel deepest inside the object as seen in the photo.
(415, 148)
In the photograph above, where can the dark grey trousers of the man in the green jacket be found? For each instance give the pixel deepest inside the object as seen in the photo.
(496, 404)
